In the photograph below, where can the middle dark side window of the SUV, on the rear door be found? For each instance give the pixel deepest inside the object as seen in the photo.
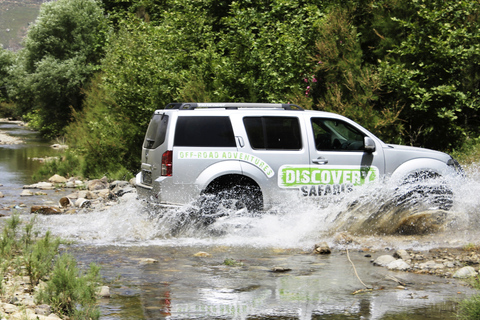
(273, 133)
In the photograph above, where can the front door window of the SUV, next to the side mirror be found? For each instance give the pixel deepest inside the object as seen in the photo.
(331, 134)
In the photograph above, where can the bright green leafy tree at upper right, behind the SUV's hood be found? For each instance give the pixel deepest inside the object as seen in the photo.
(435, 72)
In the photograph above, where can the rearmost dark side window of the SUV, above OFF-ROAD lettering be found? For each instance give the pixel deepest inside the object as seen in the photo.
(204, 132)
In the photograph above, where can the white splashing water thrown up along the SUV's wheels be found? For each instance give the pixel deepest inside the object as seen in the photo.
(298, 222)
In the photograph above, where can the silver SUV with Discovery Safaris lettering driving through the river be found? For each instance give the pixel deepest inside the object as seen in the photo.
(257, 153)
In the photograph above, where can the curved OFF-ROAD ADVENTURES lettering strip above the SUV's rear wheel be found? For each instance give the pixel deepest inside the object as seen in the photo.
(228, 155)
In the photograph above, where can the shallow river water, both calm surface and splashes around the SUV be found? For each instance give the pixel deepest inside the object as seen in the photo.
(226, 270)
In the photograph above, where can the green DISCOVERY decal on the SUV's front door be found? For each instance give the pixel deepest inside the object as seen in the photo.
(291, 176)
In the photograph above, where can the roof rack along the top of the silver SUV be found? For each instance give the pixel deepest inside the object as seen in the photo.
(231, 105)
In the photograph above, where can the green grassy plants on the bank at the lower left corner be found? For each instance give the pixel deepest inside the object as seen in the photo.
(67, 290)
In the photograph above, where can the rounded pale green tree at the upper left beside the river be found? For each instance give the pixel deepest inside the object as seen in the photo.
(62, 50)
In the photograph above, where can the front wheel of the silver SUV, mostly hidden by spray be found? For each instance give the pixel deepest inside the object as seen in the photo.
(425, 189)
